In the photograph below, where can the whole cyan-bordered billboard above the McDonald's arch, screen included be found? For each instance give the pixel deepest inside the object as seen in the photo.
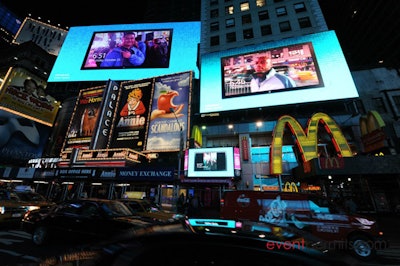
(303, 69)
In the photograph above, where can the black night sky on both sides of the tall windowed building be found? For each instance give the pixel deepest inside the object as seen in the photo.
(368, 36)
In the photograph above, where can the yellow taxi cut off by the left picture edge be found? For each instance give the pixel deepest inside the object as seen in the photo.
(15, 203)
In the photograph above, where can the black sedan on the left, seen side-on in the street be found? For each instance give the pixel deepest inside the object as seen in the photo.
(84, 219)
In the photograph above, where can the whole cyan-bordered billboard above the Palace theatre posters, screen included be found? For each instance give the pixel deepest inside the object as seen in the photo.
(127, 52)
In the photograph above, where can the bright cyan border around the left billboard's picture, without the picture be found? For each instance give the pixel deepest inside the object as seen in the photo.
(183, 53)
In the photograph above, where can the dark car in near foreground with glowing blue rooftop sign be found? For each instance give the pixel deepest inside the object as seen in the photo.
(198, 242)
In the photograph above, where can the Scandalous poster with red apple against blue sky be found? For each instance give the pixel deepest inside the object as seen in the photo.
(170, 111)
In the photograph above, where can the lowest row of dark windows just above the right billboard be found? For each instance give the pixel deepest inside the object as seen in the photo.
(284, 26)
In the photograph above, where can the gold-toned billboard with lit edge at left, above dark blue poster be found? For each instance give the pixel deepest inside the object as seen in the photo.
(25, 94)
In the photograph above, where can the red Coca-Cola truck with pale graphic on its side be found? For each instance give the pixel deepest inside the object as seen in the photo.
(307, 212)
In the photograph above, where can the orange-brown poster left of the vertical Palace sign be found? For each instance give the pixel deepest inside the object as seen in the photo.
(84, 119)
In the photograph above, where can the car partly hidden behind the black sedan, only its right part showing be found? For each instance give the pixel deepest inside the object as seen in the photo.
(144, 208)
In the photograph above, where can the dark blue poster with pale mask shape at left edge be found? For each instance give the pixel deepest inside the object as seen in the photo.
(21, 139)
